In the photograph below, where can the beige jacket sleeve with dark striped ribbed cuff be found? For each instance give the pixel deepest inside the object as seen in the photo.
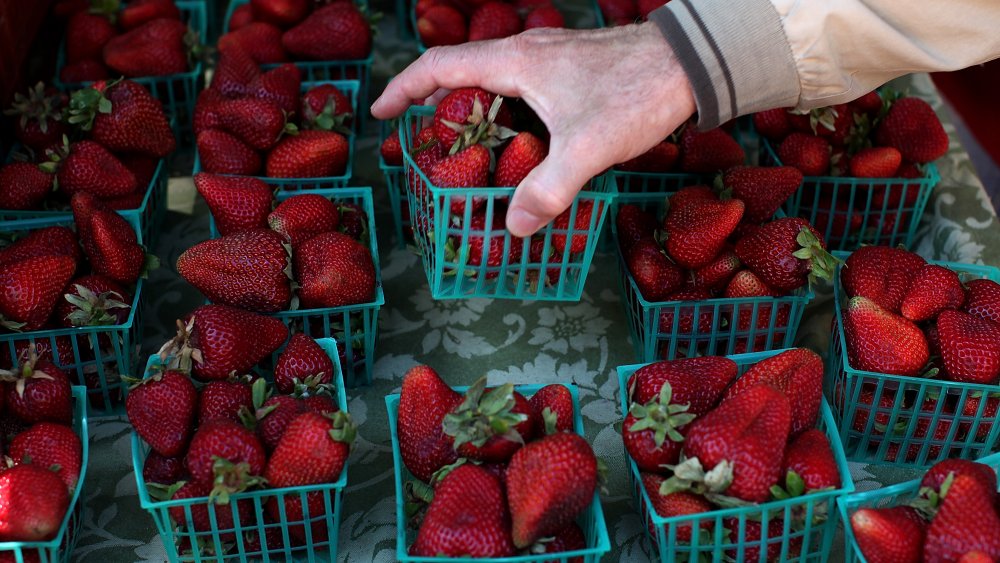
(749, 55)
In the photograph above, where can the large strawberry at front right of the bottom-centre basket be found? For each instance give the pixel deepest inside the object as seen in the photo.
(549, 482)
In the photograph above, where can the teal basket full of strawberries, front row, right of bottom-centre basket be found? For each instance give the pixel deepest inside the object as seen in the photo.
(742, 449)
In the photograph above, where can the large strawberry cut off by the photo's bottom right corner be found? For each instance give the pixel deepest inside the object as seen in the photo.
(966, 521)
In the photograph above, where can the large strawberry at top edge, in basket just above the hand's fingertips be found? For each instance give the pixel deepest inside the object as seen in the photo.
(335, 32)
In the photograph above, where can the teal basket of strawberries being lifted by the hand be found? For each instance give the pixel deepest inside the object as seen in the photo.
(458, 212)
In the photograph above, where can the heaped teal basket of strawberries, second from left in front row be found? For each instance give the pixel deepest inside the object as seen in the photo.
(228, 470)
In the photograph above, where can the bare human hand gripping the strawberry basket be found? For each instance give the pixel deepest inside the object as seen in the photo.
(605, 95)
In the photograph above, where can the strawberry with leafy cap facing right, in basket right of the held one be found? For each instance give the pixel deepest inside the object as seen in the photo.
(786, 254)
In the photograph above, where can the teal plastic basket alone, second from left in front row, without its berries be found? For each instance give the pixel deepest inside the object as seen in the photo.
(252, 541)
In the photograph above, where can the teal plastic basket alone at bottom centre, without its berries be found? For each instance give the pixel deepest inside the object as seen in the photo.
(591, 521)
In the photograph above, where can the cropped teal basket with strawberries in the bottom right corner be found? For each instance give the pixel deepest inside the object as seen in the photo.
(949, 514)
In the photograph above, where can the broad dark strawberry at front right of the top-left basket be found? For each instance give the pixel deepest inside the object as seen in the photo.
(155, 48)
